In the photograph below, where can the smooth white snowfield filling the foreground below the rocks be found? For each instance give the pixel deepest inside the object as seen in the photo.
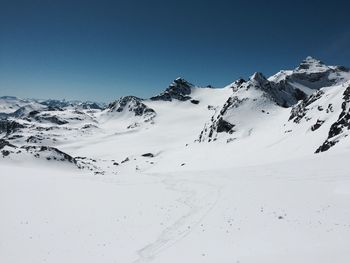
(291, 211)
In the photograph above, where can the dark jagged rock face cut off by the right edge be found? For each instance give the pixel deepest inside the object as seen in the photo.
(340, 126)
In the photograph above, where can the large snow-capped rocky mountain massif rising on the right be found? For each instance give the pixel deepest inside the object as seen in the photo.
(311, 87)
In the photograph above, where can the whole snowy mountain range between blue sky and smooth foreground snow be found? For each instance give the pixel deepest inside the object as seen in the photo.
(294, 112)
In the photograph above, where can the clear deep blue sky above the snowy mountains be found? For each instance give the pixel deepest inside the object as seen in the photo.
(101, 50)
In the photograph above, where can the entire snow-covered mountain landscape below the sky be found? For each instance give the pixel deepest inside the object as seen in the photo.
(252, 172)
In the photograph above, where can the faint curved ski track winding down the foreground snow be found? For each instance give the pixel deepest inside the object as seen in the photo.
(199, 196)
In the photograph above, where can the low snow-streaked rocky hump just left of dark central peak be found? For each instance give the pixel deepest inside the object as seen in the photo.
(132, 104)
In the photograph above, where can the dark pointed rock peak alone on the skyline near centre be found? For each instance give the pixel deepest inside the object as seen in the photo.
(179, 89)
